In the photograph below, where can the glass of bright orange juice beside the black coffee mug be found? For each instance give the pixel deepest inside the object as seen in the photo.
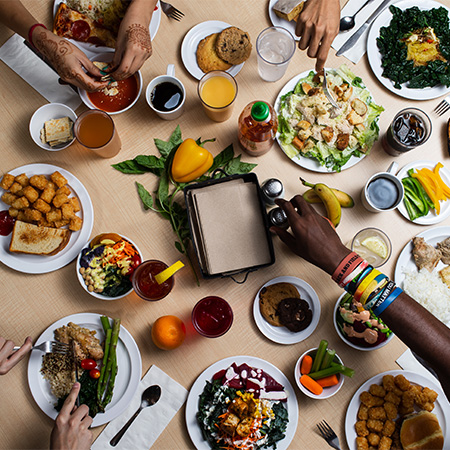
(217, 91)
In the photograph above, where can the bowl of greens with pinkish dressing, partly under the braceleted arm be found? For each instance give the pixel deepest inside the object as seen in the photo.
(361, 330)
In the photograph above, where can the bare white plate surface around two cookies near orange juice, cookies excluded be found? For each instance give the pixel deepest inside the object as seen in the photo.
(190, 44)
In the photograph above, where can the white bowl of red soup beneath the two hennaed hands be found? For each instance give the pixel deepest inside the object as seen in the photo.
(118, 96)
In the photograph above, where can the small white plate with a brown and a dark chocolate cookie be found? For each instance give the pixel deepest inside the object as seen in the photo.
(286, 310)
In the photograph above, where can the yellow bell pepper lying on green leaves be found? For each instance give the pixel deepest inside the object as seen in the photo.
(190, 162)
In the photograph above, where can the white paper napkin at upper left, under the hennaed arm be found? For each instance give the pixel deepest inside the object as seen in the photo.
(36, 73)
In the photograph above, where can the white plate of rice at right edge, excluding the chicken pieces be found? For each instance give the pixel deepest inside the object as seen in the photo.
(427, 288)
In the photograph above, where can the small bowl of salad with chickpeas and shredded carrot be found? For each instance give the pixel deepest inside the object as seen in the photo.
(107, 265)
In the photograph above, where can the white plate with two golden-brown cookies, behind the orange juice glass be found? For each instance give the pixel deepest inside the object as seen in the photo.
(215, 45)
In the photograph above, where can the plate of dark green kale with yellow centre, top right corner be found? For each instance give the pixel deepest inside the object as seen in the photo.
(408, 47)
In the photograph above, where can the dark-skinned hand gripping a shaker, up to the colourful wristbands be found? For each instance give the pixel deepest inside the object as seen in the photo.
(313, 237)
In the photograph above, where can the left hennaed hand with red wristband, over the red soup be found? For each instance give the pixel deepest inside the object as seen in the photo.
(72, 65)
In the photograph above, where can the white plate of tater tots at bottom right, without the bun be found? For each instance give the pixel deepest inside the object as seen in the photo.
(371, 419)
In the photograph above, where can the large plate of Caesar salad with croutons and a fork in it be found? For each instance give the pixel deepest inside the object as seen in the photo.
(315, 136)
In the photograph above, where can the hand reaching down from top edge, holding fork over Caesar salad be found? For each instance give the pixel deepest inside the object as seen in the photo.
(318, 25)
